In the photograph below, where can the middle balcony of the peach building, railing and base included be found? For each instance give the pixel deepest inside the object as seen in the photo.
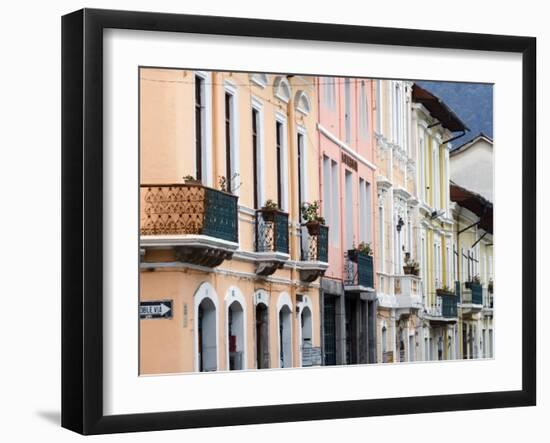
(271, 240)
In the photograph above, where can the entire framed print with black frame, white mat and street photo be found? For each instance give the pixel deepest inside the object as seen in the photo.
(271, 221)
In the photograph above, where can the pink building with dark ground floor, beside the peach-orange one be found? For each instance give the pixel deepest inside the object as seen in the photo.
(345, 134)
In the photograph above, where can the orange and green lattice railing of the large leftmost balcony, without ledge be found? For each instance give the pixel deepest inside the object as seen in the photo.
(177, 209)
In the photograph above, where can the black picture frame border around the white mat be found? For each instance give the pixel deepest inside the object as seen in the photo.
(82, 239)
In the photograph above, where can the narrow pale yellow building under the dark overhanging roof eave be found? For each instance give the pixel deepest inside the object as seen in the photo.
(435, 127)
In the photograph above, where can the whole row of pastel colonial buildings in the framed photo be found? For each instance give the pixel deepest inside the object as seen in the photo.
(290, 221)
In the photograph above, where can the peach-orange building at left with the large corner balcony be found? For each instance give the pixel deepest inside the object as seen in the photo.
(229, 274)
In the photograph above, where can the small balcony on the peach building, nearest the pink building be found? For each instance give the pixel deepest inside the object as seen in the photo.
(314, 252)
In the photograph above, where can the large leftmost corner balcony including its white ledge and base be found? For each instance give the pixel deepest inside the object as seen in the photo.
(198, 222)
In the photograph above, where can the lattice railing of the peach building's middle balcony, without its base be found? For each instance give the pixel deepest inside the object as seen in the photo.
(271, 231)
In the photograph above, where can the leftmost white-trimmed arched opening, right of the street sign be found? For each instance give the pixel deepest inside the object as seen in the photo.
(206, 331)
